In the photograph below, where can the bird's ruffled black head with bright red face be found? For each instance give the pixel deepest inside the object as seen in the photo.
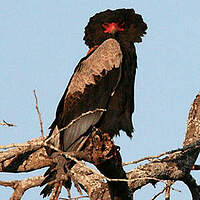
(121, 24)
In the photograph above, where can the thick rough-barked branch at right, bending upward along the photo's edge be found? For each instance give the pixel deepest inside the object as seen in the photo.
(176, 166)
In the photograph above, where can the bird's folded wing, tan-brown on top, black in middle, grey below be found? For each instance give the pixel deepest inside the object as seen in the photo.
(90, 88)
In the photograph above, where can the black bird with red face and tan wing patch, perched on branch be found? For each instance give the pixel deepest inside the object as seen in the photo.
(100, 93)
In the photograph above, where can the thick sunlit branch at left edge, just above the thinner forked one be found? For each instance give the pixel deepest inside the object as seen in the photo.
(25, 157)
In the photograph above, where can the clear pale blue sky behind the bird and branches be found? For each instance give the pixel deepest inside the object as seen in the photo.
(41, 43)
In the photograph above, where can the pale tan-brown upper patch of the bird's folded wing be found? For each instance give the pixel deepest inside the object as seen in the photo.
(105, 58)
